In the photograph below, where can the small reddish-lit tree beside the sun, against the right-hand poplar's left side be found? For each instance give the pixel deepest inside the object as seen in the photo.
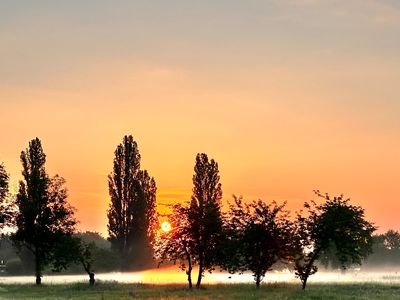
(177, 244)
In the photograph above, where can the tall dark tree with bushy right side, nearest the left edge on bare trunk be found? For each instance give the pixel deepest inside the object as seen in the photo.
(43, 215)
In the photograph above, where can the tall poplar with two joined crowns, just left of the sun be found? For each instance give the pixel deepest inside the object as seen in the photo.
(132, 217)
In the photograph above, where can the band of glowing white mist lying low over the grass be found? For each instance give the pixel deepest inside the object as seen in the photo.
(171, 275)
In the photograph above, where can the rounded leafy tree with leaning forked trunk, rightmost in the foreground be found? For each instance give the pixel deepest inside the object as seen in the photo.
(337, 223)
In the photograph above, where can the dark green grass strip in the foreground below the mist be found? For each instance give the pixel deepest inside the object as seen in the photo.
(231, 291)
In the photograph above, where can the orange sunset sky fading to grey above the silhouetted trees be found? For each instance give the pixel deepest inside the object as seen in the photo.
(287, 96)
